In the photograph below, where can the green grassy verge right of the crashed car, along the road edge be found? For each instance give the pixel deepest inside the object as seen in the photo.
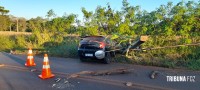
(163, 58)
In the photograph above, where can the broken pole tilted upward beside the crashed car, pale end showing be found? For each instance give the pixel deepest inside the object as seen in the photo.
(141, 40)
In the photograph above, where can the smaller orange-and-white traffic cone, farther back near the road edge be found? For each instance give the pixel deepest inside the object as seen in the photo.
(30, 59)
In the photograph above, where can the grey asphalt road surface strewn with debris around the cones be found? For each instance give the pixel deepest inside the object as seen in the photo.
(15, 76)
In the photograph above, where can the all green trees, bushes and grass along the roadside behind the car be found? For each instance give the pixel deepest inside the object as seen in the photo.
(168, 25)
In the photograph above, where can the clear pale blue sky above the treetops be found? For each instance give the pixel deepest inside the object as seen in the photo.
(33, 8)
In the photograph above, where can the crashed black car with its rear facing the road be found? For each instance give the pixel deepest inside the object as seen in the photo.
(96, 47)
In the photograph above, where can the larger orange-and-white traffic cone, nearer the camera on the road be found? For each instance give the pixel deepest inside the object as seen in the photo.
(46, 72)
